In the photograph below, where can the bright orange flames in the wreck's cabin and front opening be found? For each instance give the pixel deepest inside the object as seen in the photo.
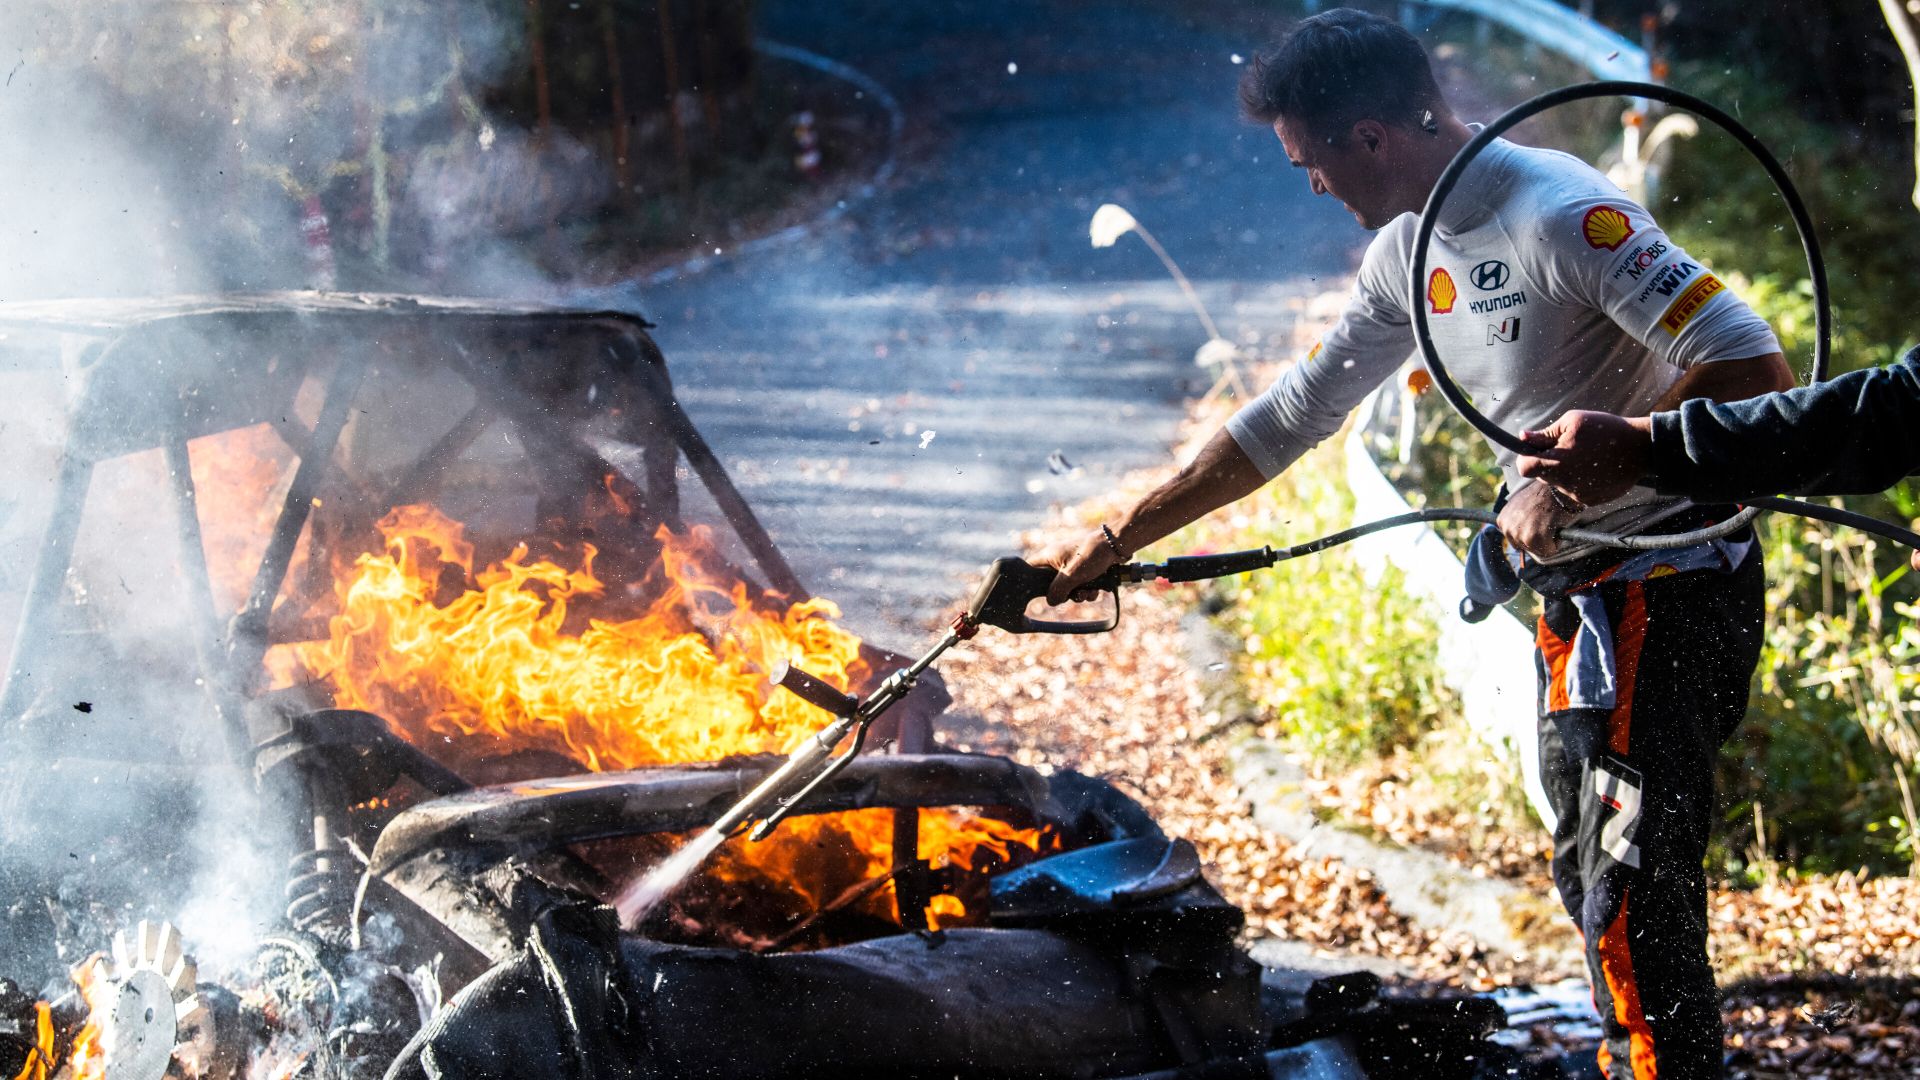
(519, 662)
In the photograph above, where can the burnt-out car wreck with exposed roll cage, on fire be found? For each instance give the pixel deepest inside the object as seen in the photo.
(375, 645)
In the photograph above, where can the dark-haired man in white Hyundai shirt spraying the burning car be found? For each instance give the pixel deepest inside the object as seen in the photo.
(1548, 289)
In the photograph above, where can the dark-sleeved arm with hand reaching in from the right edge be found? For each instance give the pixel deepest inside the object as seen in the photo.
(1850, 435)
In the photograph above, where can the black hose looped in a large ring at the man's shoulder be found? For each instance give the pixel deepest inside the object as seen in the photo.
(1815, 268)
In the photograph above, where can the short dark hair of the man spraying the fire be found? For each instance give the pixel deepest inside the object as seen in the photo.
(1341, 68)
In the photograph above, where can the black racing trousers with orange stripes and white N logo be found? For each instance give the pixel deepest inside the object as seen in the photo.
(1633, 789)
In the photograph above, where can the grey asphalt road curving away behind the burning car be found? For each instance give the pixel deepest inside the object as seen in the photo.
(909, 389)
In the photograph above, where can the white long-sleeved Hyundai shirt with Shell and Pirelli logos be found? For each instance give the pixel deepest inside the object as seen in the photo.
(1547, 291)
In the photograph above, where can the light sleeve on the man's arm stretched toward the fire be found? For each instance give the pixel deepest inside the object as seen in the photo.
(1312, 399)
